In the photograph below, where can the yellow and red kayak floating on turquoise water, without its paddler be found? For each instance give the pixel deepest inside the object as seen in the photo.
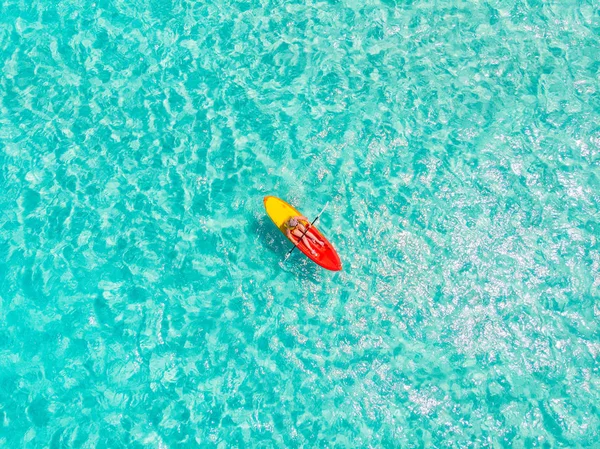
(280, 212)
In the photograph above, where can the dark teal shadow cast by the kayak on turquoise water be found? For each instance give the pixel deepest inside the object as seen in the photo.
(270, 237)
